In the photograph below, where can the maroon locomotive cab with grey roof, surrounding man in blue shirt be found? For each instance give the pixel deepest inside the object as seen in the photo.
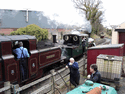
(8, 63)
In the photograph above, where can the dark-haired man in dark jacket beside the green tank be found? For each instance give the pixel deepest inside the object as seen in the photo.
(95, 76)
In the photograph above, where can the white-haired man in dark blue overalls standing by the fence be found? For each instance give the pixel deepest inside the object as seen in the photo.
(74, 72)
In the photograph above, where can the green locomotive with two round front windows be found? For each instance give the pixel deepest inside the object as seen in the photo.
(75, 44)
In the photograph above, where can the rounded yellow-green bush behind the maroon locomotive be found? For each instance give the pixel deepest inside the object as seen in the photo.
(39, 33)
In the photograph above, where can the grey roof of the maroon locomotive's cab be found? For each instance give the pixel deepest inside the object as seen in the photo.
(16, 37)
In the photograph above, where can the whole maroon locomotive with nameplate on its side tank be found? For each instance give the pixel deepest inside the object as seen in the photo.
(38, 61)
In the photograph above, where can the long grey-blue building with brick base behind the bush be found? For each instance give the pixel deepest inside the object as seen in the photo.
(11, 20)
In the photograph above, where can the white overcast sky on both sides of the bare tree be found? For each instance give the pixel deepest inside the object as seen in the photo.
(63, 10)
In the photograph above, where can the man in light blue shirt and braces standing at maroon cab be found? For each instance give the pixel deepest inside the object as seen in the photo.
(22, 55)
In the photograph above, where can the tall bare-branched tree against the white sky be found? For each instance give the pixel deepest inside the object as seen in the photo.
(92, 11)
